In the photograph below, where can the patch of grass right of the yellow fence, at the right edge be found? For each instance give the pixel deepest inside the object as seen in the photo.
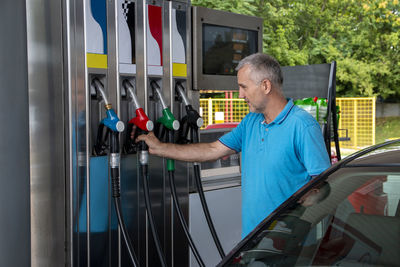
(387, 128)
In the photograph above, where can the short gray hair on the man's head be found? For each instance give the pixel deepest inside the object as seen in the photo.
(263, 67)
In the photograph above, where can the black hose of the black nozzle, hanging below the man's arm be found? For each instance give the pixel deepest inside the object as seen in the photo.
(206, 211)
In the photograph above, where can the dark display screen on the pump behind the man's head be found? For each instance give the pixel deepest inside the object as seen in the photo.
(224, 47)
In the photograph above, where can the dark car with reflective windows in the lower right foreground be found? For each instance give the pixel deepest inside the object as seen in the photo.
(347, 216)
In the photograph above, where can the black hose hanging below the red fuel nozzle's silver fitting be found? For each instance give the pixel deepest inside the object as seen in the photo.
(150, 215)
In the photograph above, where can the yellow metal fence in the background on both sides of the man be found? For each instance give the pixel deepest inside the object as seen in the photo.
(356, 122)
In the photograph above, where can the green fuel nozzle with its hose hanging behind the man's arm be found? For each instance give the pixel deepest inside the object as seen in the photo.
(167, 124)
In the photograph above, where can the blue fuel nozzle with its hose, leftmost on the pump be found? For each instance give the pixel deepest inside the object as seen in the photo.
(113, 127)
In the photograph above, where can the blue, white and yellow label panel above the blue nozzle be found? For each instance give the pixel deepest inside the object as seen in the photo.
(96, 33)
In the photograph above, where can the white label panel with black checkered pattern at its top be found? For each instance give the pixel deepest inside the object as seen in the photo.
(126, 36)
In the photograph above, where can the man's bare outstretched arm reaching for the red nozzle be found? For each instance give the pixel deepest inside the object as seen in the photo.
(199, 152)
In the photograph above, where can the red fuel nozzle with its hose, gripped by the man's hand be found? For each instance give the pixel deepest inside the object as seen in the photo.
(143, 126)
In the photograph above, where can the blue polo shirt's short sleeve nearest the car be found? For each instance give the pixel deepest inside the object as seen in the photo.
(313, 151)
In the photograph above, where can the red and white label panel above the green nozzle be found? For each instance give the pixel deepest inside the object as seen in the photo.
(154, 40)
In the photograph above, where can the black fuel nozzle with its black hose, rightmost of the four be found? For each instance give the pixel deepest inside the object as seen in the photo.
(189, 133)
